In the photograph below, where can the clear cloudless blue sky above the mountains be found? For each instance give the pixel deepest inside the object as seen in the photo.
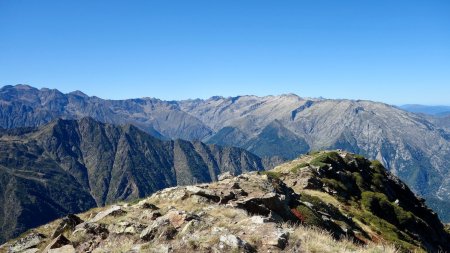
(395, 51)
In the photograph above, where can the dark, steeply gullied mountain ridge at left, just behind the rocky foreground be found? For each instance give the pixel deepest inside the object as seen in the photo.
(69, 166)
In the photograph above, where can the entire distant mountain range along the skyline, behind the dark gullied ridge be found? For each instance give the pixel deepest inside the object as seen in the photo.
(414, 147)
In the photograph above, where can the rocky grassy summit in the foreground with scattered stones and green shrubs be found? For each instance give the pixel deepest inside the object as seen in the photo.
(322, 202)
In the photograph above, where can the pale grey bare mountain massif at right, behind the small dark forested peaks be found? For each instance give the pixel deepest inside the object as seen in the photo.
(407, 144)
